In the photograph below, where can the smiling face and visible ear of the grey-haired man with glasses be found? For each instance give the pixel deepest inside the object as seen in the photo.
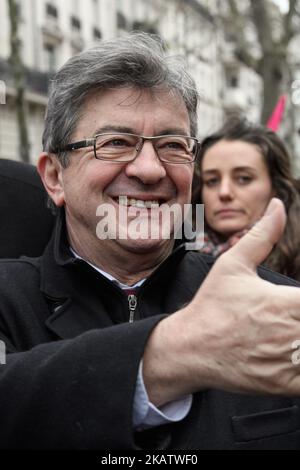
(114, 172)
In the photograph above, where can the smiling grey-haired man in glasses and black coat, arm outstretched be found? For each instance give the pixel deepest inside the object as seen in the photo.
(126, 342)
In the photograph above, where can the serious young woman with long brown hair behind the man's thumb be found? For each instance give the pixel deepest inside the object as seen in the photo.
(241, 167)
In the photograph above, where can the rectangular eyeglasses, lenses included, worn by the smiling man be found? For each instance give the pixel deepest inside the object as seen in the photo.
(124, 147)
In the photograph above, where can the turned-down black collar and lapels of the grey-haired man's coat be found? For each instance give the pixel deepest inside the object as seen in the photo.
(81, 298)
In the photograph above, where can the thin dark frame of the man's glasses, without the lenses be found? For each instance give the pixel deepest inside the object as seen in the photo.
(91, 142)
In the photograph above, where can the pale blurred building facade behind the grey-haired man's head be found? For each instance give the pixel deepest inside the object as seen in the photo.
(51, 31)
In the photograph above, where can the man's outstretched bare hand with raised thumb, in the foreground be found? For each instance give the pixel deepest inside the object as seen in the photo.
(237, 332)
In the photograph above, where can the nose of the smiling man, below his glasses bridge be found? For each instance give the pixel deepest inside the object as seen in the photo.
(146, 166)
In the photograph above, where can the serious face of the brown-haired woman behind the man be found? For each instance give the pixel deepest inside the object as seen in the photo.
(236, 186)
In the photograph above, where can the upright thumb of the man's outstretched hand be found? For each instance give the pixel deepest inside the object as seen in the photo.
(257, 244)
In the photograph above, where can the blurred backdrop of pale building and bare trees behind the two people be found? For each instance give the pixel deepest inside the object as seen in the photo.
(243, 54)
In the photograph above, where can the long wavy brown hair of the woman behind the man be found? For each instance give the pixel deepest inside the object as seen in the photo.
(285, 257)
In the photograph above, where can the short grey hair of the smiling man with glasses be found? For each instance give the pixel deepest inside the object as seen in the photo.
(137, 59)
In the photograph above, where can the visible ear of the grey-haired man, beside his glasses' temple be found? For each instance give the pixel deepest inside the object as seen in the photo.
(50, 170)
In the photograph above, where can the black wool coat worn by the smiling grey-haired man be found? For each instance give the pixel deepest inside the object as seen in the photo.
(73, 357)
